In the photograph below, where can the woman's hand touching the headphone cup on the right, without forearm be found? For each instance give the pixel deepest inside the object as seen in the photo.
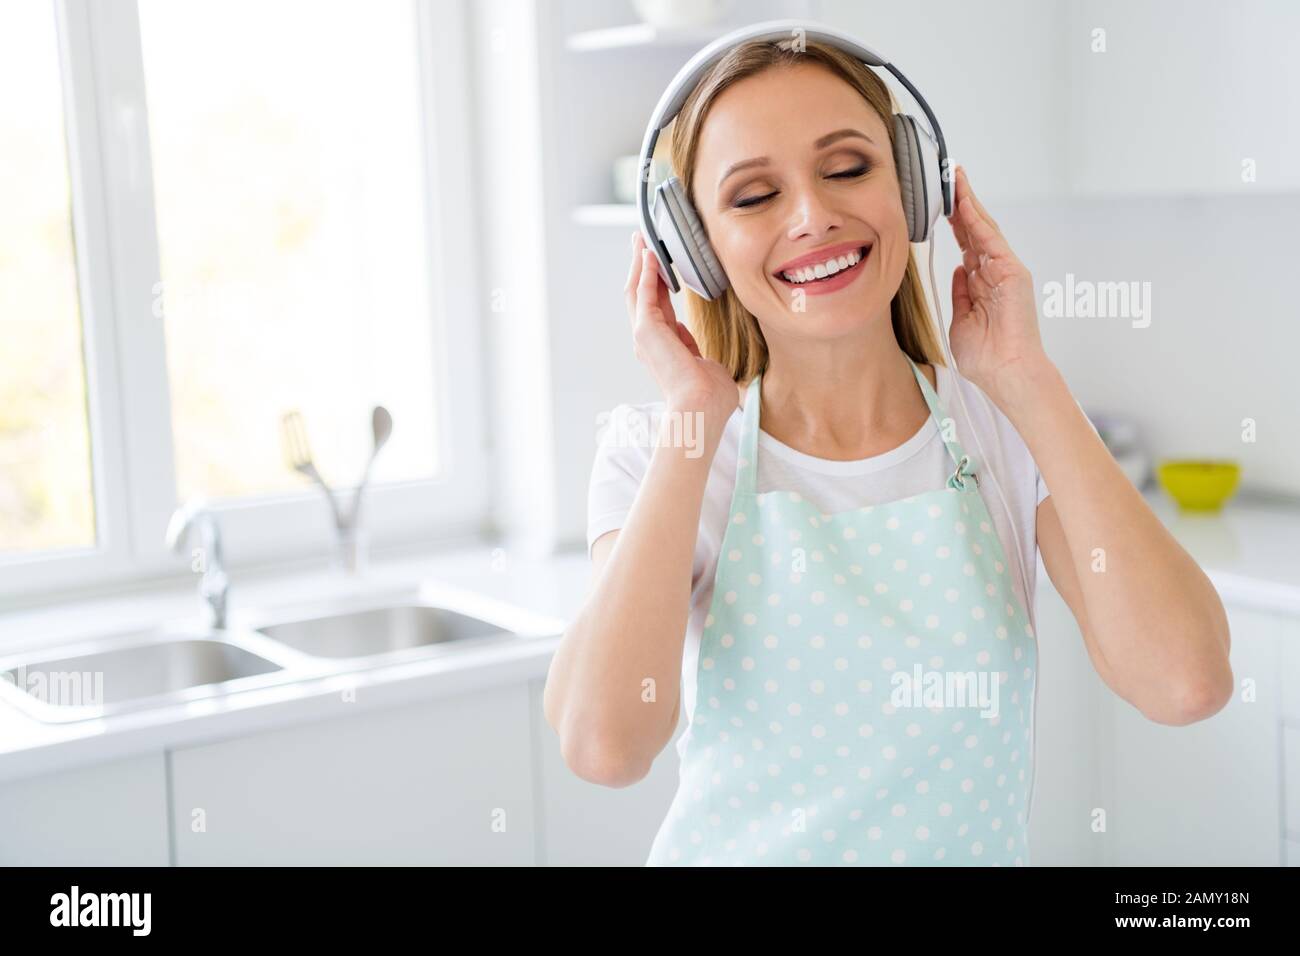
(995, 331)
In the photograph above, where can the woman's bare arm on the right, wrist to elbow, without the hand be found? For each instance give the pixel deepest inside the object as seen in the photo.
(1155, 626)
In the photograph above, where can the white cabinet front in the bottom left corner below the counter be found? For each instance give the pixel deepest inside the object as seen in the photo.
(105, 815)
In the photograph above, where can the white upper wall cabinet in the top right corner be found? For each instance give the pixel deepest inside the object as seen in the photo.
(1182, 97)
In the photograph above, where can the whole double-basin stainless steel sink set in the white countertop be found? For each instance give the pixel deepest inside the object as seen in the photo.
(176, 664)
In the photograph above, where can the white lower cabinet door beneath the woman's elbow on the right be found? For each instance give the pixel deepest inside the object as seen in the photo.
(1206, 794)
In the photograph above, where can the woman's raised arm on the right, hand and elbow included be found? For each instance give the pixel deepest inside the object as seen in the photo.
(1155, 626)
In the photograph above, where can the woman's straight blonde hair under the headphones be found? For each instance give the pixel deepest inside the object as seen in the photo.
(725, 330)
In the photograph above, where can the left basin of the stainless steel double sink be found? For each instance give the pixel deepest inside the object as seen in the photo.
(136, 671)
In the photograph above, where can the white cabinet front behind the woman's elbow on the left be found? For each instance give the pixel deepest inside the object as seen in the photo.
(590, 825)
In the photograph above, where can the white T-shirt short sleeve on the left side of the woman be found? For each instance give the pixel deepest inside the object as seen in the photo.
(622, 460)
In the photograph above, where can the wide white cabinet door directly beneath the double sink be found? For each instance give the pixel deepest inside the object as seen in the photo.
(441, 784)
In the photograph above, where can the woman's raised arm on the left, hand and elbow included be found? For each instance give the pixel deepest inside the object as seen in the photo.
(614, 684)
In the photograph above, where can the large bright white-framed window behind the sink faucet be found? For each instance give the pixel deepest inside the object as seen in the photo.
(231, 210)
